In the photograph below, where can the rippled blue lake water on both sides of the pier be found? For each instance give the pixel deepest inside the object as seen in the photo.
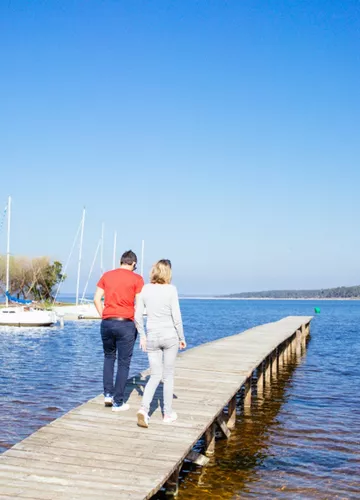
(302, 442)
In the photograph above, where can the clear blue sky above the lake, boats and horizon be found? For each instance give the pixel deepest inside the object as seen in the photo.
(224, 133)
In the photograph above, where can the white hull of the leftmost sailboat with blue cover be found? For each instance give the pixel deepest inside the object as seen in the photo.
(26, 316)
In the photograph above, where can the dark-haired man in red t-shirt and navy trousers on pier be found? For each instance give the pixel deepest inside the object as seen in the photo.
(118, 331)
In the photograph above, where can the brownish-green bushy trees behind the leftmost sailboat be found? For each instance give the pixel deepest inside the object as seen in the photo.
(31, 278)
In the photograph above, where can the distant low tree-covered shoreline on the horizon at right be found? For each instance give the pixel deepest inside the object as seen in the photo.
(341, 292)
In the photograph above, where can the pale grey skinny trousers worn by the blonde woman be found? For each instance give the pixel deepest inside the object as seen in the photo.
(162, 351)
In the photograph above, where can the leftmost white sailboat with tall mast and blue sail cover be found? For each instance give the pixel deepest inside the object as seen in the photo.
(23, 312)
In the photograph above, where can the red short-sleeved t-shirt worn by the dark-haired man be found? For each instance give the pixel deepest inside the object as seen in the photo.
(120, 287)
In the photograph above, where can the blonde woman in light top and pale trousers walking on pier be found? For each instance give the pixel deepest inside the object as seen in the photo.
(163, 338)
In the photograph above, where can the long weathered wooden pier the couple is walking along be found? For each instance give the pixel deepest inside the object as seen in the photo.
(94, 453)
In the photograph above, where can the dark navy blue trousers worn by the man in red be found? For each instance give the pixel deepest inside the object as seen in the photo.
(118, 337)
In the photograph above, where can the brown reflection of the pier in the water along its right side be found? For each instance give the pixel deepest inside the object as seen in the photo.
(238, 459)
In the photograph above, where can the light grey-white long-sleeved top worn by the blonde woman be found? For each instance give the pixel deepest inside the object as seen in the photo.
(162, 309)
